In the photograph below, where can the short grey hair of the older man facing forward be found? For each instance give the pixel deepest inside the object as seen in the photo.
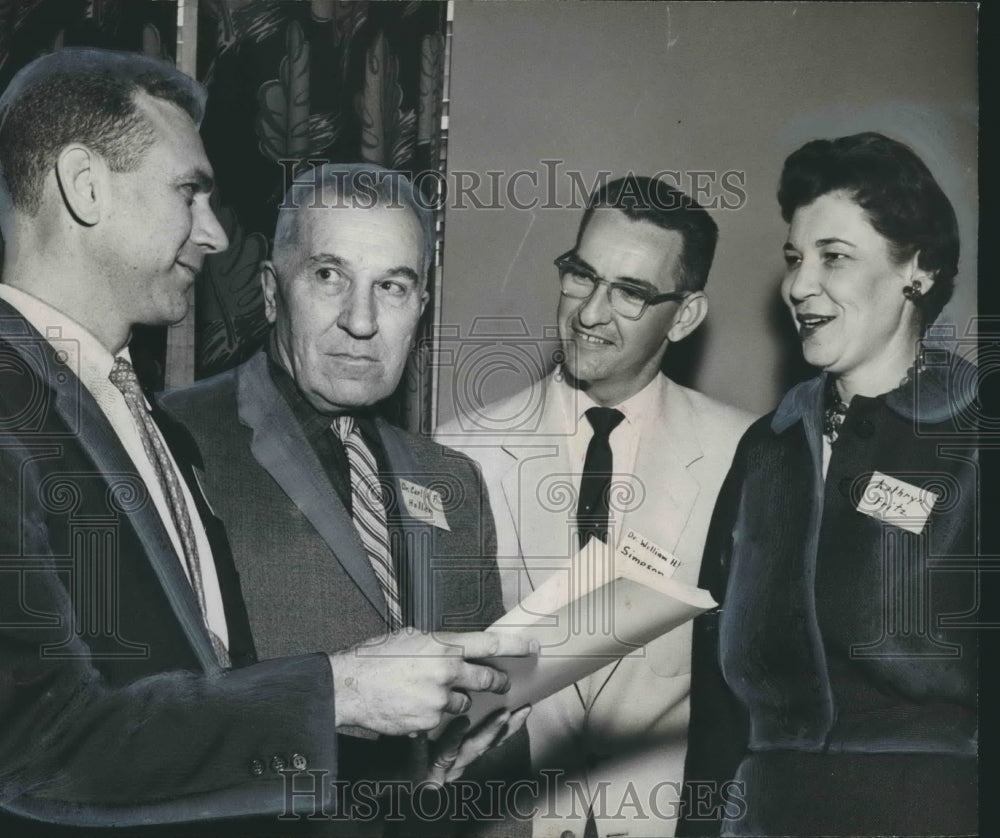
(334, 186)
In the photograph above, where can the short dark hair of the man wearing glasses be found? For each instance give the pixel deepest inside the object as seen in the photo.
(657, 202)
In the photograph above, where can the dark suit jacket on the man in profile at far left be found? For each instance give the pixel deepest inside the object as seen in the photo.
(113, 709)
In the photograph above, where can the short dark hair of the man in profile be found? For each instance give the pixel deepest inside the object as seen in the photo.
(87, 96)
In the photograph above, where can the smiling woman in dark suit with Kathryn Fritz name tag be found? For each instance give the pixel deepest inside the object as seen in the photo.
(834, 692)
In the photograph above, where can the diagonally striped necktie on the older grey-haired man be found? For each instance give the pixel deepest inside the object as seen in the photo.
(369, 512)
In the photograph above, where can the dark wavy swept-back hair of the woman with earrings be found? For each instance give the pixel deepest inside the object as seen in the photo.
(903, 201)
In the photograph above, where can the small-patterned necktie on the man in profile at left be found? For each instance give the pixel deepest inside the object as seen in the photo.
(124, 378)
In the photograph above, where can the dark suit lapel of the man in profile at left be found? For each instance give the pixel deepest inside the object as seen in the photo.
(88, 424)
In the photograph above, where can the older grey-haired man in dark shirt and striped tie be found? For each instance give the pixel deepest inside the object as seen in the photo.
(345, 290)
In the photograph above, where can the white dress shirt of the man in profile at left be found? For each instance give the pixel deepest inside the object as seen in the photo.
(92, 363)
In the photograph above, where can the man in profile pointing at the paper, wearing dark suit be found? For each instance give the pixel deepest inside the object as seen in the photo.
(129, 691)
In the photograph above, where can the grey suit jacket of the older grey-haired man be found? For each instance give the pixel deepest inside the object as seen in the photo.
(307, 581)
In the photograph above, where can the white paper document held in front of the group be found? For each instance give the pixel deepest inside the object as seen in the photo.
(600, 606)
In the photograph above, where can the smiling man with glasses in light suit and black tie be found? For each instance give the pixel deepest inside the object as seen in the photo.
(631, 286)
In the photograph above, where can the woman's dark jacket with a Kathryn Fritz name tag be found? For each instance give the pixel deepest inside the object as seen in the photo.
(846, 699)
